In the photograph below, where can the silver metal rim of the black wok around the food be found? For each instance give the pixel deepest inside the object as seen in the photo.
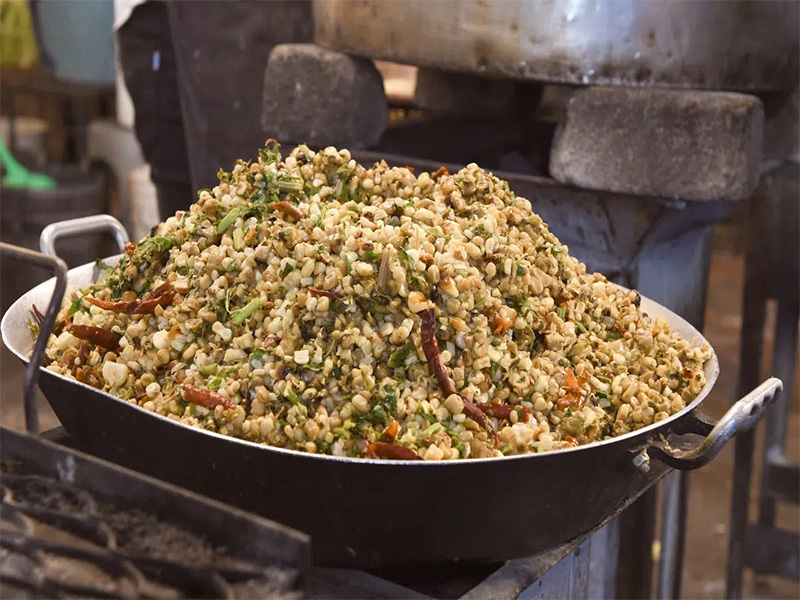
(711, 368)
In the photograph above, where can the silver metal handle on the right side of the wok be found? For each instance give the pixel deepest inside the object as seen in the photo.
(741, 417)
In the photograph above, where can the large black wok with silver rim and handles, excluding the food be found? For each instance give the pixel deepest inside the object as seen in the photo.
(371, 513)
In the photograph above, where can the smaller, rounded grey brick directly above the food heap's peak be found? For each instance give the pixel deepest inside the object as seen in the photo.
(322, 97)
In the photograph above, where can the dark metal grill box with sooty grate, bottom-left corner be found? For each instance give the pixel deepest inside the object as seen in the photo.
(77, 528)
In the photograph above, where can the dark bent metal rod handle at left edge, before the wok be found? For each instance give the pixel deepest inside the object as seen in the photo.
(58, 268)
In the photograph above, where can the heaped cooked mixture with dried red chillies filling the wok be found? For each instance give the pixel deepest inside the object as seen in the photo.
(312, 303)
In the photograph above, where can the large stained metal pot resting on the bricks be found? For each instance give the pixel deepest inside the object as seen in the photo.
(735, 45)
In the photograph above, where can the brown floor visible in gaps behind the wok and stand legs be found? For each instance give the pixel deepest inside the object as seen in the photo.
(709, 510)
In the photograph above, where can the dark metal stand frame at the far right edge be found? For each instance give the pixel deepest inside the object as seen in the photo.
(764, 278)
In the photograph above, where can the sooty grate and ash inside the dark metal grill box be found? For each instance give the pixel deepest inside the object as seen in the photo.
(58, 540)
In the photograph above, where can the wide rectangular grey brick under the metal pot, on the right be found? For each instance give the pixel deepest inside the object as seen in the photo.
(693, 145)
